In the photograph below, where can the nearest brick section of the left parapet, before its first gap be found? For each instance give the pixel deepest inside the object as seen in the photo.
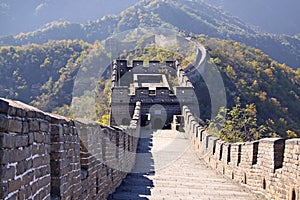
(24, 152)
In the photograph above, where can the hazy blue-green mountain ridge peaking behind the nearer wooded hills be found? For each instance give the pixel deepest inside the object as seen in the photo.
(186, 16)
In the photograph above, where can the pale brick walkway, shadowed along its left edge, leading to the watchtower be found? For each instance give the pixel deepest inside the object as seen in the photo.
(169, 169)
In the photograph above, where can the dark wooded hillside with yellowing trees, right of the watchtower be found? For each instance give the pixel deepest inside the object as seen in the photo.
(250, 76)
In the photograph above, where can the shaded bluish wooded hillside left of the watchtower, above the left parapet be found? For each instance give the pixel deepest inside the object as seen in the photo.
(41, 75)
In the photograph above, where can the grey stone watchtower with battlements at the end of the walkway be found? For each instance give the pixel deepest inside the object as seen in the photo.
(155, 85)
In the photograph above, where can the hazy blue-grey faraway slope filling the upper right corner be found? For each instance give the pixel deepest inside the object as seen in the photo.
(271, 16)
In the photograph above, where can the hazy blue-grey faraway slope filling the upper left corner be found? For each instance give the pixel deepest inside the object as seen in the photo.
(22, 16)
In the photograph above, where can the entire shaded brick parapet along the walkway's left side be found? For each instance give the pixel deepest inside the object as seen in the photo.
(43, 156)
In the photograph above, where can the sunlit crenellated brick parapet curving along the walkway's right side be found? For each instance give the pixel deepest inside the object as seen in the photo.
(268, 166)
